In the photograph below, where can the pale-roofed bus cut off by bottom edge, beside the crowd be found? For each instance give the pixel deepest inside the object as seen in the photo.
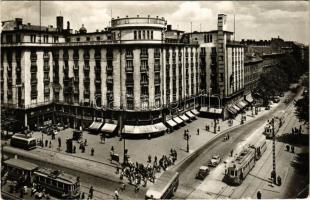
(164, 187)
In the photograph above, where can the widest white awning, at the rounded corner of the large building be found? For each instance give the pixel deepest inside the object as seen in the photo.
(154, 128)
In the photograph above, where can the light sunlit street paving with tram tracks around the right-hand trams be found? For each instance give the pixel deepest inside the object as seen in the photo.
(259, 178)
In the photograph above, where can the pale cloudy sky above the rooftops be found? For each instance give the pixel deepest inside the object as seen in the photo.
(253, 19)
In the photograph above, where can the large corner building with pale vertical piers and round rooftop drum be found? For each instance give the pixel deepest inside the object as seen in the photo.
(128, 73)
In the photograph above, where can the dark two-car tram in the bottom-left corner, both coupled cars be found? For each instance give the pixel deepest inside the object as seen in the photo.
(55, 182)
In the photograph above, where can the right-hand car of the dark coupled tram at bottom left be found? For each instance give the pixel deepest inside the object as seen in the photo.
(58, 183)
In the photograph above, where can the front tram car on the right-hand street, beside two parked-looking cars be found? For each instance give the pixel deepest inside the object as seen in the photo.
(240, 166)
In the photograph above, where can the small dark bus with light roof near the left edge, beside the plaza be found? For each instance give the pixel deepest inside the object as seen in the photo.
(23, 141)
